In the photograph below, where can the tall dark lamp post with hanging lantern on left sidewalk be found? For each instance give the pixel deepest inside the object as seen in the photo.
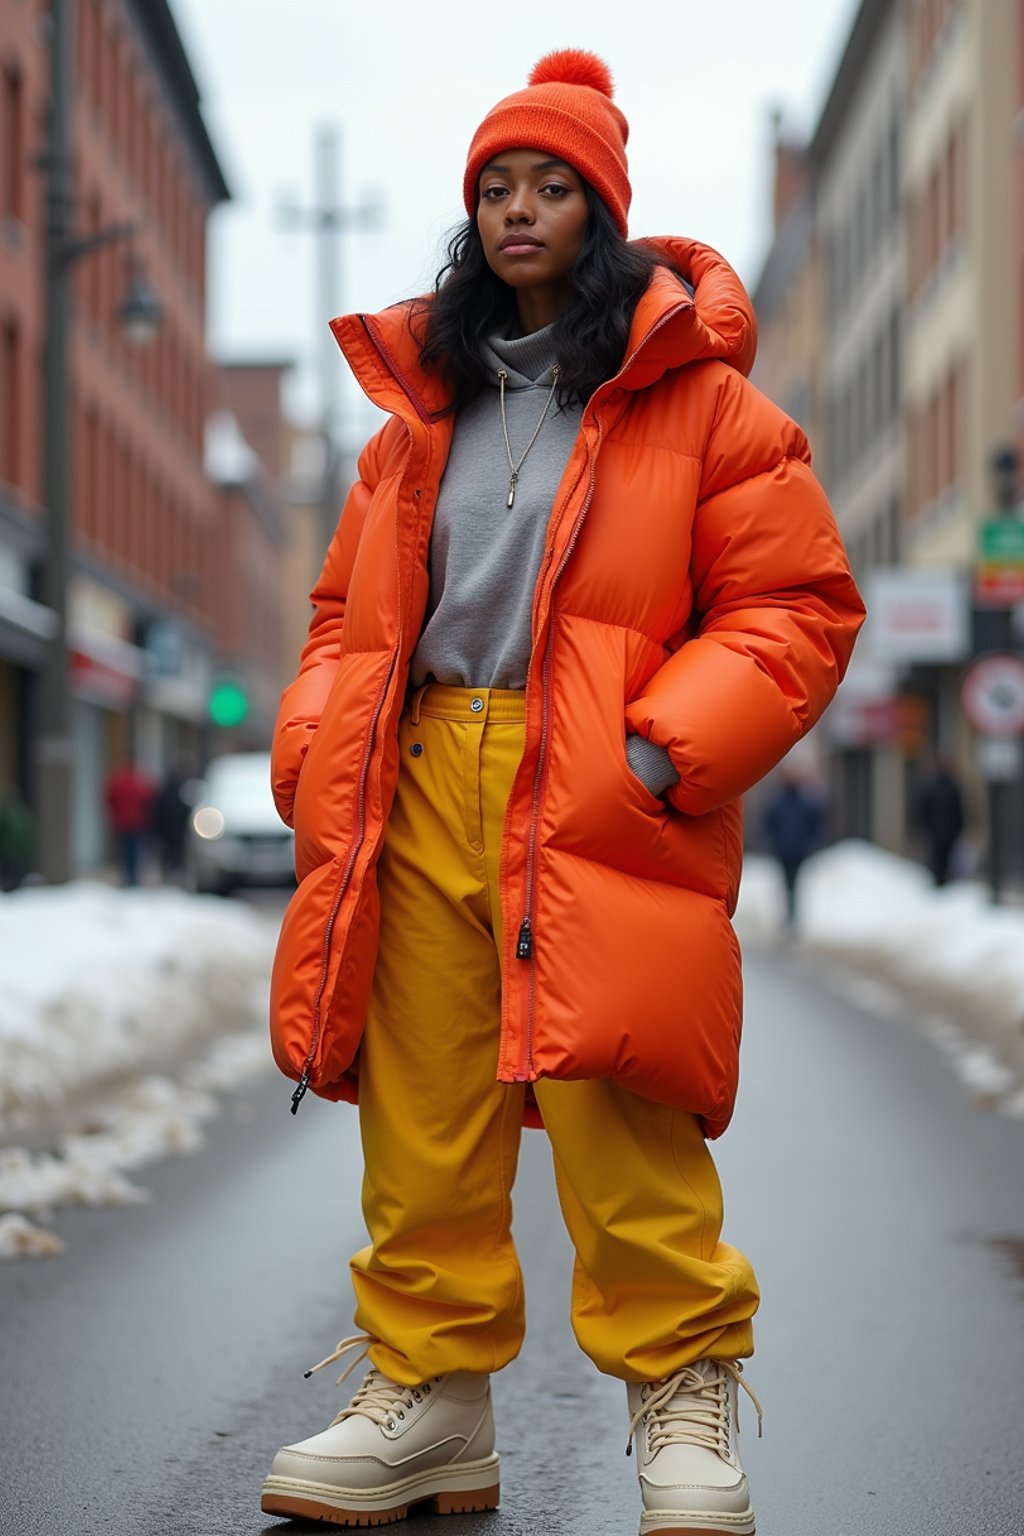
(55, 766)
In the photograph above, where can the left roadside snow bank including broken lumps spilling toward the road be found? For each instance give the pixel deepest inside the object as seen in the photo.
(104, 993)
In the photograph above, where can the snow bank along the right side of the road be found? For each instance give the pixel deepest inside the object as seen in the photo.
(945, 950)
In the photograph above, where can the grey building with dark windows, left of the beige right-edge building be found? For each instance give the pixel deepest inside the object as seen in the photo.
(856, 165)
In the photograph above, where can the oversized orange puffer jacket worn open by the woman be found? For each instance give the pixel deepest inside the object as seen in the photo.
(693, 591)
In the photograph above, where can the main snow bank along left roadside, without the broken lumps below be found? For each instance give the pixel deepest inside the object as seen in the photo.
(101, 984)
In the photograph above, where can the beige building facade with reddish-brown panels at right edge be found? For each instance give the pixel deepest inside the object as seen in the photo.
(962, 325)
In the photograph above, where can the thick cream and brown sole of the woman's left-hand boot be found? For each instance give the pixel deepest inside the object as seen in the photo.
(440, 1492)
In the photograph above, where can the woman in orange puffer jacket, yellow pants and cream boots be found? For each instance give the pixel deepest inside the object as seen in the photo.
(583, 597)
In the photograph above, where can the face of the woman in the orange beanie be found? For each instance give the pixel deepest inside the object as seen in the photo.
(532, 217)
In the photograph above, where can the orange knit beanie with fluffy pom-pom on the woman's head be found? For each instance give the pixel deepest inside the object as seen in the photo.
(566, 110)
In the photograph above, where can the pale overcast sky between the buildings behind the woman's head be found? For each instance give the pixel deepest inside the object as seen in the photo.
(408, 82)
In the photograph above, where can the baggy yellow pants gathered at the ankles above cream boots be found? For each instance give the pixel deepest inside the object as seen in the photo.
(440, 1288)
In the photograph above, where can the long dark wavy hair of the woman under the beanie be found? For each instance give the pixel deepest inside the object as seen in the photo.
(590, 337)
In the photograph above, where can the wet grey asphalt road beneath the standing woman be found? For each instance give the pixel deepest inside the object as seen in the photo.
(148, 1375)
